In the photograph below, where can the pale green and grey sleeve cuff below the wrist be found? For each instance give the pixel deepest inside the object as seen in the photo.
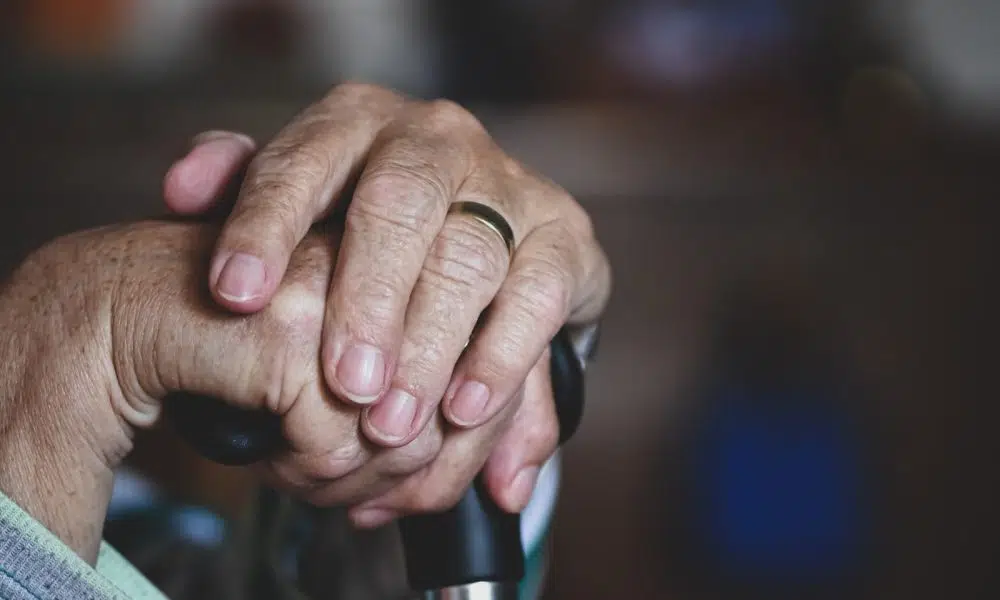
(36, 565)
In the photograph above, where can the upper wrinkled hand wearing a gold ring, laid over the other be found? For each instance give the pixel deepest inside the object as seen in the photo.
(412, 277)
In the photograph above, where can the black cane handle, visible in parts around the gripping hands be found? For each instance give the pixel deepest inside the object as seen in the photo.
(474, 541)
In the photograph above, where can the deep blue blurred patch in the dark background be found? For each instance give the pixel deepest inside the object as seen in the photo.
(782, 484)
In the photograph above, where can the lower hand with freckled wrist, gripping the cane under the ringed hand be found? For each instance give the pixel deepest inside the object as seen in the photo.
(99, 326)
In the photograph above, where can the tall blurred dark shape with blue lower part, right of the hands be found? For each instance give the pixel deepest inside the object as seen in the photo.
(778, 470)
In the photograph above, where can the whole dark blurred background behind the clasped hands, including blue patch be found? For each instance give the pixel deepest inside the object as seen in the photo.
(793, 396)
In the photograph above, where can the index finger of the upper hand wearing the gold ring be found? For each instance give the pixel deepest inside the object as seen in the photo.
(290, 184)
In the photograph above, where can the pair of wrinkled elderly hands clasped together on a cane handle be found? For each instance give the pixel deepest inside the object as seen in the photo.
(357, 334)
